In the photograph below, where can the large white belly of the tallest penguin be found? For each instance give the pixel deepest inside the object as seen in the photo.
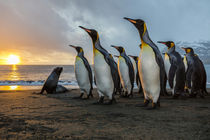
(149, 72)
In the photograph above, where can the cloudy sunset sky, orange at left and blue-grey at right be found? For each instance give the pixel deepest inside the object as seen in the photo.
(39, 31)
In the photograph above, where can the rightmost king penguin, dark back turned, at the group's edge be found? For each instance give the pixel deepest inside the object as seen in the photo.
(196, 74)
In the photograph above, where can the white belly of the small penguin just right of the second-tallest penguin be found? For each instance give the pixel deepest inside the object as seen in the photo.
(124, 74)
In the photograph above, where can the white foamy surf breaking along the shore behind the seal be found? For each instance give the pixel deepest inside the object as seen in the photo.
(34, 83)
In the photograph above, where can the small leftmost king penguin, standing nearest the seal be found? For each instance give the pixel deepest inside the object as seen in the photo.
(83, 73)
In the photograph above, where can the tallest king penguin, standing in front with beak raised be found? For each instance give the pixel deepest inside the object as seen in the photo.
(151, 66)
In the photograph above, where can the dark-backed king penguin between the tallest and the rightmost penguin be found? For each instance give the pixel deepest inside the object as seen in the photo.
(176, 72)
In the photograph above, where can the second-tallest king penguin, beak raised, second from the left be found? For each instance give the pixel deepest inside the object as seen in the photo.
(104, 69)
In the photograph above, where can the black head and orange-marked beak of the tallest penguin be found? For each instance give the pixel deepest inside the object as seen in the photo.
(139, 24)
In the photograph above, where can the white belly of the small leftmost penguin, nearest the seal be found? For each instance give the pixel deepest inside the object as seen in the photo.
(81, 74)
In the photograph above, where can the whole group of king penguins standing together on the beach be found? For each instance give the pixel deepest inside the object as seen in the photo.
(150, 70)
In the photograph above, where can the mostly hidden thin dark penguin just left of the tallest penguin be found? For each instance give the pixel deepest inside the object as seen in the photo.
(138, 82)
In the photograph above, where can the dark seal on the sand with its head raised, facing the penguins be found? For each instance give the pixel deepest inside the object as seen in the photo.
(51, 84)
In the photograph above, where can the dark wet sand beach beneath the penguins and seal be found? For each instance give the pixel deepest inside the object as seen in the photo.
(26, 115)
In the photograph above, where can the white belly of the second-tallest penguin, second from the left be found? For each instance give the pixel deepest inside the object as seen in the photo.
(102, 70)
